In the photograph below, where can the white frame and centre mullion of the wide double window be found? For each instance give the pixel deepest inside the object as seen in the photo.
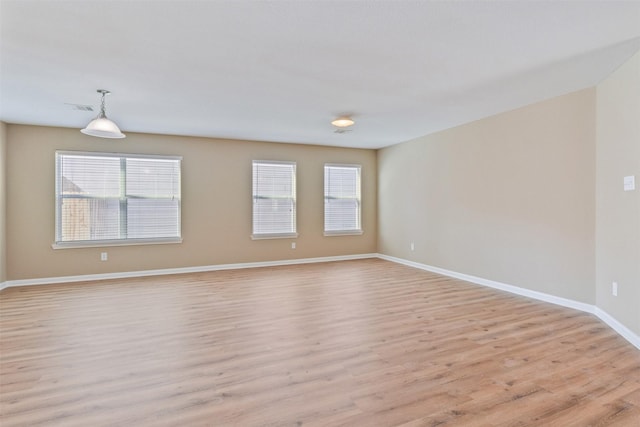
(60, 244)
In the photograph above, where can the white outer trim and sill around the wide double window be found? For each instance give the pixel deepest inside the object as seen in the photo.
(115, 242)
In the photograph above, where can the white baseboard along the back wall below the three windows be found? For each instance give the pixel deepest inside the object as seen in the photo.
(164, 271)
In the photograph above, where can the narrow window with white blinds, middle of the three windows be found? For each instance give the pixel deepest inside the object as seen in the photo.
(274, 199)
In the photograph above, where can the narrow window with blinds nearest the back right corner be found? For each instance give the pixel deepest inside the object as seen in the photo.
(342, 199)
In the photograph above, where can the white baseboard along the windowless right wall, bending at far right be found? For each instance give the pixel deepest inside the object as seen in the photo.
(621, 329)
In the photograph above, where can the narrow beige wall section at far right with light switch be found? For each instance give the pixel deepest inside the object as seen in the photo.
(617, 211)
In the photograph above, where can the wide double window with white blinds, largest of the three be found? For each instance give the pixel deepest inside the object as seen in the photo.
(110, 199)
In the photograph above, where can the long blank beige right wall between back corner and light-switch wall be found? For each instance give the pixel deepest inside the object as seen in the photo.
(509, 198)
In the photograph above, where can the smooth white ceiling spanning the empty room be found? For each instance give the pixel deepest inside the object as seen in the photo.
(281, 70)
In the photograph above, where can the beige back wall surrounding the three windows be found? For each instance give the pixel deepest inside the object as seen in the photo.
(216, 206)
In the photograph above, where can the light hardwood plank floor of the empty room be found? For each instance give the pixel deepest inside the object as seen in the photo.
(354, 343)
